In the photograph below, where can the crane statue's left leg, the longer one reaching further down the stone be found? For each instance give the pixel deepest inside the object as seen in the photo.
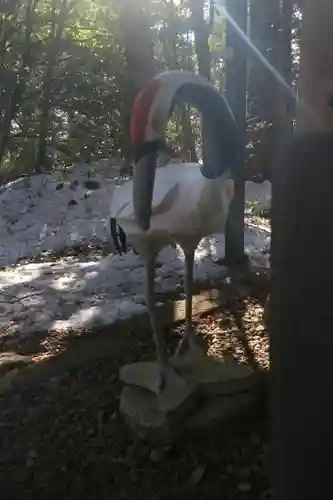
(161, 348)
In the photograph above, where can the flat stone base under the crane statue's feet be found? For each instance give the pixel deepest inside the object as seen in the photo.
(202, 390)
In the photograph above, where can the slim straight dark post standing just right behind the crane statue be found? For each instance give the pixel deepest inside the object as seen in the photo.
(236, 77)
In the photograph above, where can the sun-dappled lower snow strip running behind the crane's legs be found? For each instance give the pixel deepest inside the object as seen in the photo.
(80, 295)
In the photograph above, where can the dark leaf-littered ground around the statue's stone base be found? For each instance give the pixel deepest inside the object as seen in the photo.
(64, 438)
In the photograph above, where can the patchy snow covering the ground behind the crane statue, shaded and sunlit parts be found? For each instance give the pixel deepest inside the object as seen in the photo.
(52, 212)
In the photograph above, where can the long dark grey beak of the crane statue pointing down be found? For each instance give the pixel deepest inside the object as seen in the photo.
(143, 187)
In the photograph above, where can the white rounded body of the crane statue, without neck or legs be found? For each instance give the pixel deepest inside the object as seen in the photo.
(186, 207)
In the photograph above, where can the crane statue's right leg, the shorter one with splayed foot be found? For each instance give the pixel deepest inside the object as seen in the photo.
(189, 339)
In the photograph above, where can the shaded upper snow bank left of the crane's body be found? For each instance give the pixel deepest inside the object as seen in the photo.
(52, 212)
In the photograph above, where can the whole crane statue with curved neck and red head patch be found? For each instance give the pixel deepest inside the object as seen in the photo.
(179, 203)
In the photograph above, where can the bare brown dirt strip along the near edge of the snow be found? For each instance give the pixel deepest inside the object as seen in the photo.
(53, 352)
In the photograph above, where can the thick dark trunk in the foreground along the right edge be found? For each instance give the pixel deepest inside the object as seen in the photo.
(302, 277)
